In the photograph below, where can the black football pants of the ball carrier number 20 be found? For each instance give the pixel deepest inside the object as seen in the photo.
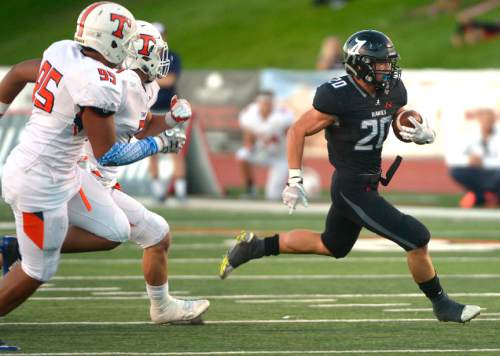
(357, 204)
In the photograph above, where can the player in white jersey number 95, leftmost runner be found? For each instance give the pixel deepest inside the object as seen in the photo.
(76, 87)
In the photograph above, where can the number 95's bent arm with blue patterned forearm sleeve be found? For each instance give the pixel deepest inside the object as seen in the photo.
(100, 128)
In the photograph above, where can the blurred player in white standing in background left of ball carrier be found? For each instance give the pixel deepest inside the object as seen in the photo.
(264, 144)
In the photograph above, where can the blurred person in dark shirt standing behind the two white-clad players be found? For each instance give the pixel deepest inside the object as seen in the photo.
(168, 88)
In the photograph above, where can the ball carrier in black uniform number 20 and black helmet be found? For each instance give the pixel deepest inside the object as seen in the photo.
(355, 111)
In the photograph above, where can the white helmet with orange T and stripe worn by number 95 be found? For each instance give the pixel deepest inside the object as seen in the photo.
(106, 27)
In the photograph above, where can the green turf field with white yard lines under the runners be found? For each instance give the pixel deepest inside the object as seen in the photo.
(282, 305)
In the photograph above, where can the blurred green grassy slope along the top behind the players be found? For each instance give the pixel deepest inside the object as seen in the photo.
(225, 34)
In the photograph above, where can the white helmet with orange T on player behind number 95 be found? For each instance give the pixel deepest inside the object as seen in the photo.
(148, 52)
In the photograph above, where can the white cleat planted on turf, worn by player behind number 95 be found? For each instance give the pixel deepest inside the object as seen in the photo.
(179, 311)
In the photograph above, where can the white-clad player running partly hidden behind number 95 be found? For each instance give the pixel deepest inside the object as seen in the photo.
(147, 62)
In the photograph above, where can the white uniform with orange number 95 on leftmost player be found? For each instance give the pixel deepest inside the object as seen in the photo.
(41, 179)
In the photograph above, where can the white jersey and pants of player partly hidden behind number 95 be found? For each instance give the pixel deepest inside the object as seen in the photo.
(147, 228)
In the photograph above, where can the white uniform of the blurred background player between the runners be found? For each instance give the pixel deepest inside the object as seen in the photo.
(270, 145)
